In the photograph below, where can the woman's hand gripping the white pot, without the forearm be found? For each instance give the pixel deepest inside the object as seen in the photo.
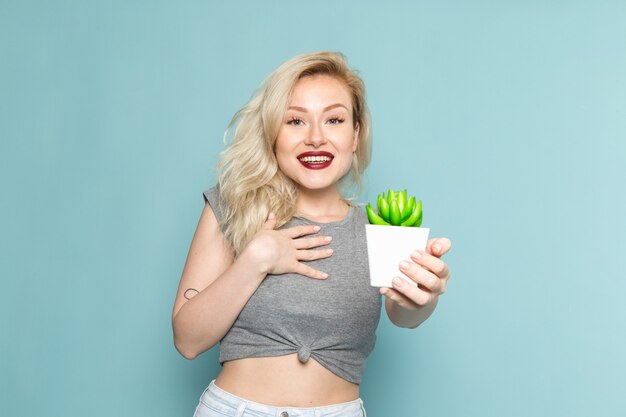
(427, 270)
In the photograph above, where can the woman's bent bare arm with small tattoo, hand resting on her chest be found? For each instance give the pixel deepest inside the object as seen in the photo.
(223, 285)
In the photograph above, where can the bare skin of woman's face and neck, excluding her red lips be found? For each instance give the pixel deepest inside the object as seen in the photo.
(319, 118)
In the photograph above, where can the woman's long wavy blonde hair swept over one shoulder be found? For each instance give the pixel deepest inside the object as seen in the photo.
(251, 184)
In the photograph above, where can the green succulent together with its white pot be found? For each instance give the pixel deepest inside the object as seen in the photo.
(393, 233)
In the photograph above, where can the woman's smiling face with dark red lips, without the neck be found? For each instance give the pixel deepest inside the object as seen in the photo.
(317, 137)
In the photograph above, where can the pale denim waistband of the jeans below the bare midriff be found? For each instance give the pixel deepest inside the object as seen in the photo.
(230, 403)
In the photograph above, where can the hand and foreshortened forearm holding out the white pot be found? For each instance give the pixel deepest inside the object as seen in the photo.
(408, 305)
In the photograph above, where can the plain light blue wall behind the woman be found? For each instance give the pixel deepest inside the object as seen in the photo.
(507, 118)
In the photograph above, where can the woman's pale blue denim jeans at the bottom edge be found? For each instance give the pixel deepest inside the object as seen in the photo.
(215, 402)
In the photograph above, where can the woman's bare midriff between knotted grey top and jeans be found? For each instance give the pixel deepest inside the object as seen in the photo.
(285, 381)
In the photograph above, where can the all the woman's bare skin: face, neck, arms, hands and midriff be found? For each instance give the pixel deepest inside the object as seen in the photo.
(319, 118)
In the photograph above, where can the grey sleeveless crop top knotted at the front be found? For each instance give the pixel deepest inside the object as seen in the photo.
(333, 320)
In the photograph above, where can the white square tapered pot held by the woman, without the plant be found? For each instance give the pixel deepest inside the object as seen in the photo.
(387, 246)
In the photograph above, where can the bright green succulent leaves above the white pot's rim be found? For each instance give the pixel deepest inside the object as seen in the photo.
(394, 209)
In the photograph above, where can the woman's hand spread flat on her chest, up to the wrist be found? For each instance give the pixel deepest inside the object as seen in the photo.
(282, 251)
